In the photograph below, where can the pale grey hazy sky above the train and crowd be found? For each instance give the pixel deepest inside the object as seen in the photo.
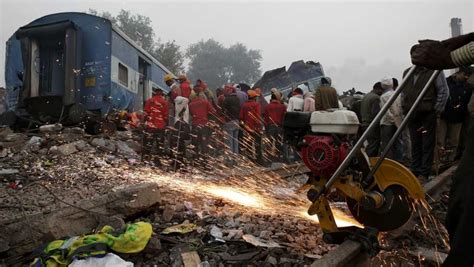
(357, 42)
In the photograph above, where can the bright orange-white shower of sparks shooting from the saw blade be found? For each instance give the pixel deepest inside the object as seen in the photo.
(265, 195)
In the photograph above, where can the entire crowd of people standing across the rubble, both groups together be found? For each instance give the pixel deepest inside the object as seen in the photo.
(235, 122)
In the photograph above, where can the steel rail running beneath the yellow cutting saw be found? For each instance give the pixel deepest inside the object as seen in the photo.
(350, 253)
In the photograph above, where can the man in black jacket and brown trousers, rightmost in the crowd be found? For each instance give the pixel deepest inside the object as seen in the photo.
(454, 114)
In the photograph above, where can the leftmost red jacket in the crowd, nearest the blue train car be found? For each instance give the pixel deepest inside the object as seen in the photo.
(156, 110)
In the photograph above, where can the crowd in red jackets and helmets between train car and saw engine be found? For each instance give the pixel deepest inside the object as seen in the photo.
(232, 122)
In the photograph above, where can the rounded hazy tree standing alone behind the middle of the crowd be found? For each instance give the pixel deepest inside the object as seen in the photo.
(218, 65)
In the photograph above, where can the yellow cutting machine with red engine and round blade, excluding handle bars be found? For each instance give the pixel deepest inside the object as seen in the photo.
(325, 139)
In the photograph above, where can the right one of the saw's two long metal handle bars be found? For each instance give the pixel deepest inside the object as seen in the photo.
(403, 124)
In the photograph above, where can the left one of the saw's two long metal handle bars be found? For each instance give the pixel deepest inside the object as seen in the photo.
(364, 136)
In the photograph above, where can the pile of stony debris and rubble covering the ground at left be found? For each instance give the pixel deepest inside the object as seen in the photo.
(57, 182)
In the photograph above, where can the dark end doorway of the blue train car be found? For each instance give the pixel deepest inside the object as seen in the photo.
(51, 56)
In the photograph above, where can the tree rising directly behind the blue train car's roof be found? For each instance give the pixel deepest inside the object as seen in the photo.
(140, 30)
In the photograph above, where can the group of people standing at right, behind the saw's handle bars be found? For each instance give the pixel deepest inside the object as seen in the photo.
(433, 137)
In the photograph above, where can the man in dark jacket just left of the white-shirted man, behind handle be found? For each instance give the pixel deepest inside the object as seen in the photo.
(369, 107)
